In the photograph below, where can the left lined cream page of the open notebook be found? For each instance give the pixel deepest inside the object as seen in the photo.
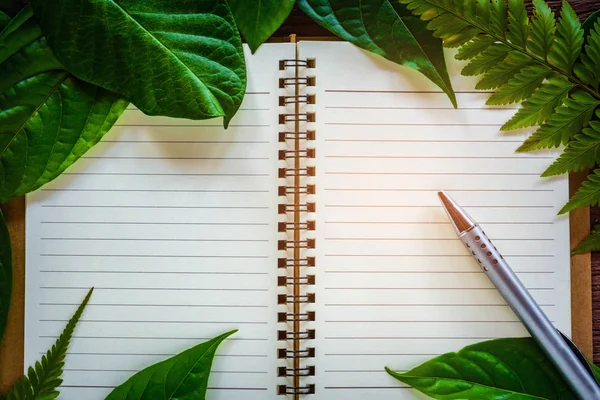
(174, 223)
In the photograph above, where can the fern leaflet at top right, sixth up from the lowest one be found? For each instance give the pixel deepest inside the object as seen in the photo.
(521, 86)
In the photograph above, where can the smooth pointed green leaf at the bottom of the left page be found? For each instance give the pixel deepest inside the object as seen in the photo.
(184, 376)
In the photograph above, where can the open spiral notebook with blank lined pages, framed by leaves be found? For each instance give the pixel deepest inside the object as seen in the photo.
(311, 225)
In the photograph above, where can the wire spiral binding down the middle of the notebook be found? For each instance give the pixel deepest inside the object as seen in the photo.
(296, 264)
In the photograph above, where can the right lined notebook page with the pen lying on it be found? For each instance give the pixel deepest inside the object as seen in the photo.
(394, 286)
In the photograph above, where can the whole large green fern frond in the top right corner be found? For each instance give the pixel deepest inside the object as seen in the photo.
(553, 67)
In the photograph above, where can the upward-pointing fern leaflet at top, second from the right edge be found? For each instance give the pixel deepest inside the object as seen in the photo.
(569, 39)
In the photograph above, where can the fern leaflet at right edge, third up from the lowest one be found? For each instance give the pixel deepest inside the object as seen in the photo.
(582, 152)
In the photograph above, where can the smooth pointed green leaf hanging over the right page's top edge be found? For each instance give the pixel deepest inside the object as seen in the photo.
(369, 25)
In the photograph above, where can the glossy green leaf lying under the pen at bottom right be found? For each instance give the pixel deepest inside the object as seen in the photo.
(513, 368)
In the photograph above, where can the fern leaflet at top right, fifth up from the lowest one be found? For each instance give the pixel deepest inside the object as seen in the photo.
(540, 106)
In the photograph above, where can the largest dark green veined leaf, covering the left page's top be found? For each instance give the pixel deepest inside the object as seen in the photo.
(177, 58)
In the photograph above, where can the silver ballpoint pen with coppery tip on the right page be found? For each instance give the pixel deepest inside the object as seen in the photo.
(565, 356)
